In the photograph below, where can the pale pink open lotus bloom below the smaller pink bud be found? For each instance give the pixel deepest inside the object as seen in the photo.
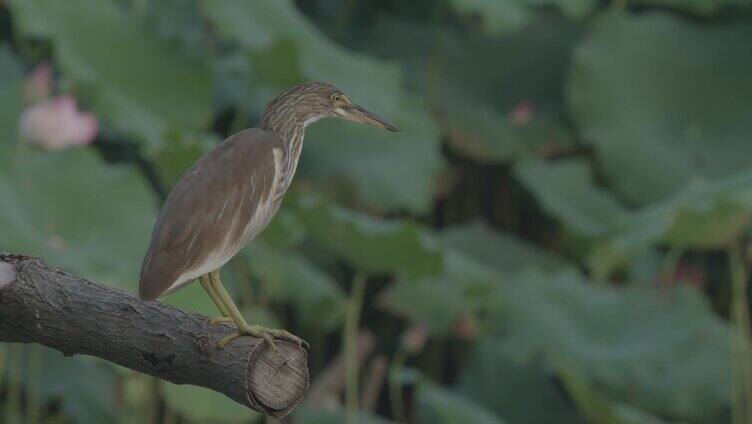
(56, 124)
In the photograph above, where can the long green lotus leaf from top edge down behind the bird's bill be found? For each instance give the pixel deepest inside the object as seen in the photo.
(356, 154)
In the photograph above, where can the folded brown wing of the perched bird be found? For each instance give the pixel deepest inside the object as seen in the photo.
(206, 214)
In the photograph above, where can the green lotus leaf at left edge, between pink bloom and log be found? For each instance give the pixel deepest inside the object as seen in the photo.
(77, 213)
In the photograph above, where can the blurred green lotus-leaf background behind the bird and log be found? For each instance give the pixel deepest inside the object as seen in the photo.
(559, 236)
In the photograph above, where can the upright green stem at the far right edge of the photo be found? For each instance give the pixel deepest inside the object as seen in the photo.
(741, 408)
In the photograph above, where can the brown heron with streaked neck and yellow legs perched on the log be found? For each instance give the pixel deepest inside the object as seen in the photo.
(230, 195)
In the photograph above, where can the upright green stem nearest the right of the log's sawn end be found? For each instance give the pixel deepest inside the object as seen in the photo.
(350, 336)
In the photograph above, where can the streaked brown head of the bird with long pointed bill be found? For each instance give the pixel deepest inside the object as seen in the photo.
(307, 103)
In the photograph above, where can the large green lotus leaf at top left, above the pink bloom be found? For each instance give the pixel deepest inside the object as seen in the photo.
(133, 80)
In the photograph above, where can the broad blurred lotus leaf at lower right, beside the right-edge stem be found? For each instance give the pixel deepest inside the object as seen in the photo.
(668, 355)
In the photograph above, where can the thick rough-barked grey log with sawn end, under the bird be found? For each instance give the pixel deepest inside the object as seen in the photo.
(42, 304)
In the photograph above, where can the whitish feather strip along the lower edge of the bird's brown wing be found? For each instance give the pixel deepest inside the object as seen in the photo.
(261, 217)
